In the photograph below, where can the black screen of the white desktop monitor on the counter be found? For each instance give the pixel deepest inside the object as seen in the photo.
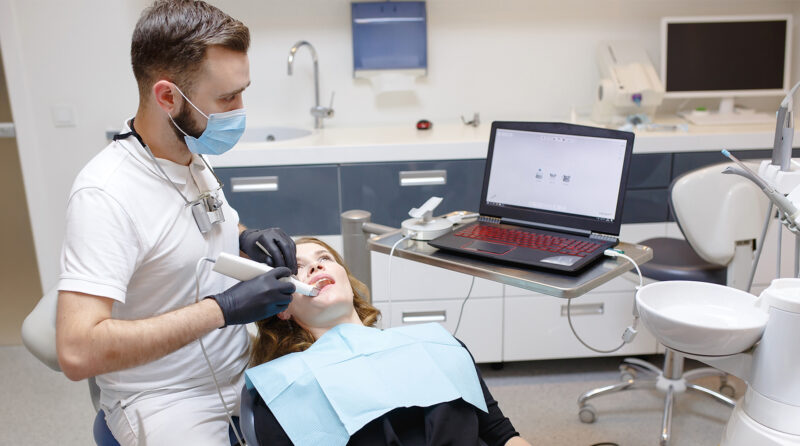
(719, 56)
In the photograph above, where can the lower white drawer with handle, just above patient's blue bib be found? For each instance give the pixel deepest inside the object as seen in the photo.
(481, 327)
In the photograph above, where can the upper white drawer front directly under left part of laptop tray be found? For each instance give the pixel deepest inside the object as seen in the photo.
(417, 281)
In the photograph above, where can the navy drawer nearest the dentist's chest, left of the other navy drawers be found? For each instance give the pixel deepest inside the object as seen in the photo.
(302, 200)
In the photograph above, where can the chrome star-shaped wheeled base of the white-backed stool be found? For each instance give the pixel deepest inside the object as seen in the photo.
(671, 380)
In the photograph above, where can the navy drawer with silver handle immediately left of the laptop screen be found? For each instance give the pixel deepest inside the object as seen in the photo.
(390, 190)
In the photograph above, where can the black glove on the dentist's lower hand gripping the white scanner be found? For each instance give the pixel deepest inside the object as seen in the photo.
(256, 299)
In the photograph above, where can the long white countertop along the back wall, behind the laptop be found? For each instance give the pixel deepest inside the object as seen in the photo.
(340, 145)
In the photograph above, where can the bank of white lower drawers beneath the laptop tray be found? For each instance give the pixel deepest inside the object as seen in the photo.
(504, 323)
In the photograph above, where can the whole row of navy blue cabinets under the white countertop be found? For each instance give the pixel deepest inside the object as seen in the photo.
(308, 200)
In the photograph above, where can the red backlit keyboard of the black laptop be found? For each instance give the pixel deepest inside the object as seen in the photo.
(534, 240)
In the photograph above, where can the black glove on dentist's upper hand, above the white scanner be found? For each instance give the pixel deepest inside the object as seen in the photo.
(280, 246)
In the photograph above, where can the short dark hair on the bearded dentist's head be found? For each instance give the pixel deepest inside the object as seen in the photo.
(171, 38)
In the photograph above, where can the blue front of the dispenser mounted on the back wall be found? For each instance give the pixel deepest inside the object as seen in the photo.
(389, 35)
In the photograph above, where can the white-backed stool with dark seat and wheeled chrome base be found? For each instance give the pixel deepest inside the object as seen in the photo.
(720, 216)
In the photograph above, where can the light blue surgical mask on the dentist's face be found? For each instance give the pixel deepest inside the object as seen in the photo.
(221, 134)
